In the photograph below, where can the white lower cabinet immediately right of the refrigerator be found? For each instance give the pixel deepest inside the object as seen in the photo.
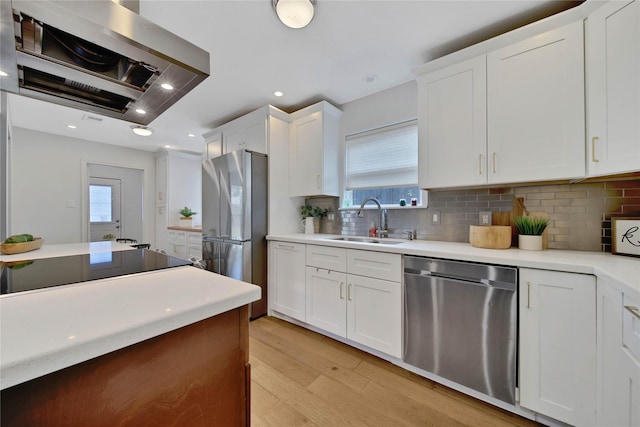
(287, 279)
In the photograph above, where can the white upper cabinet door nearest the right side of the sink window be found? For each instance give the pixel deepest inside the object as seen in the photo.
(452, 129)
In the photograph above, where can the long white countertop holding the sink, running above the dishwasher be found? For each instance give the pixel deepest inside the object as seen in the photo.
(621, 271)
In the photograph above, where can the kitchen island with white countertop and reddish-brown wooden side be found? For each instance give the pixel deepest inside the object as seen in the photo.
(169, 346)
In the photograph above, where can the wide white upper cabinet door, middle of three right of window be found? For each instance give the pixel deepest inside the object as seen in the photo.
(535, 93)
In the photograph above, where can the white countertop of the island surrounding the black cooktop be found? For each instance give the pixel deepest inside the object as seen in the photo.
(47, 330)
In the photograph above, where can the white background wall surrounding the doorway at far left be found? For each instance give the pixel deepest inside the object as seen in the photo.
(49, 183)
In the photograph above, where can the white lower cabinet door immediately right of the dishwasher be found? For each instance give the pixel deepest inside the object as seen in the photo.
(558, 345)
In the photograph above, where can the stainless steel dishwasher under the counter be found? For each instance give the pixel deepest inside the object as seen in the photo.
(461, 322)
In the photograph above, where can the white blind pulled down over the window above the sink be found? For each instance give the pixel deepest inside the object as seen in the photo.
(386, 157)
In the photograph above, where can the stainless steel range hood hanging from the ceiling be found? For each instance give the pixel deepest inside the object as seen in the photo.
(96, 56)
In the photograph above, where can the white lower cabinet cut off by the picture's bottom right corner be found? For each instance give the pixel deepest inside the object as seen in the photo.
(618, 372)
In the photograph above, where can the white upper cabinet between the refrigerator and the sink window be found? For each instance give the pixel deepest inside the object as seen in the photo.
(313, 150)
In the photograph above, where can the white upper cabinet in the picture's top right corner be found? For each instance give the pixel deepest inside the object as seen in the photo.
(613, 88)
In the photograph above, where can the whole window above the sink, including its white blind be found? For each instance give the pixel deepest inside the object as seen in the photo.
(383, 163)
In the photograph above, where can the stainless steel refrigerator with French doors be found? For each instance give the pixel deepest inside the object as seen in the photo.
(234, 219)
